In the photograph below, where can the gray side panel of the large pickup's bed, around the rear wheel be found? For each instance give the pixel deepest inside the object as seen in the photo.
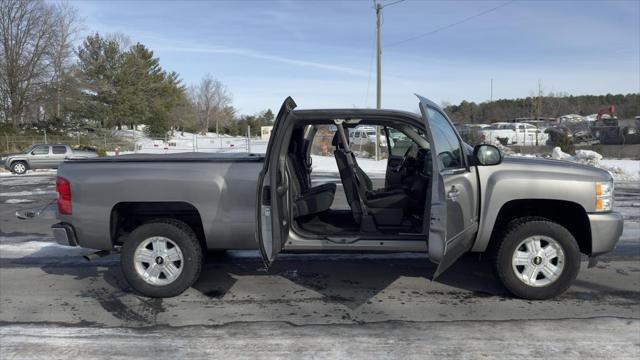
(220, 189)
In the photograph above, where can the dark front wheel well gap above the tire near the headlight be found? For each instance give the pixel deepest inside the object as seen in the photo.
(570, 215)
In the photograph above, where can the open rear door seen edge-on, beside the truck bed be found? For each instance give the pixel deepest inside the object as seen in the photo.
(273, 187)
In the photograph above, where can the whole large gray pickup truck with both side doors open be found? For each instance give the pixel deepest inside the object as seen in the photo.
(534, 217)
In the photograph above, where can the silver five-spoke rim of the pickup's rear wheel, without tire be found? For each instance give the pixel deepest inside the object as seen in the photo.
(158, 261)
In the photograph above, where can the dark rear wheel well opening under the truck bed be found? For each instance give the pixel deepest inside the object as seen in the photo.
(126, 216)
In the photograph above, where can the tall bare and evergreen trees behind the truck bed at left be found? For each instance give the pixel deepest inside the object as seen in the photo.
(106, 82)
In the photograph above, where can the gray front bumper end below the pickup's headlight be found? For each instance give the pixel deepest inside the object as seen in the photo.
(606, 229)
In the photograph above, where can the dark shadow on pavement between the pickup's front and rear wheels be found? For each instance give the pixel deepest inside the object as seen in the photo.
(353, 282)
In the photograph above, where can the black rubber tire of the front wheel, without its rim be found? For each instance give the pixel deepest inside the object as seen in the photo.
(521, 229)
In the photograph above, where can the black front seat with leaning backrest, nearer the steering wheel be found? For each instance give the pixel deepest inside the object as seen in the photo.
(385, 205)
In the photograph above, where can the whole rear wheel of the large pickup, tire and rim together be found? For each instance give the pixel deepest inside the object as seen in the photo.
(162, 258)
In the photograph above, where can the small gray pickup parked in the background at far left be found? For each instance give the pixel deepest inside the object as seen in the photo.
(43, 156)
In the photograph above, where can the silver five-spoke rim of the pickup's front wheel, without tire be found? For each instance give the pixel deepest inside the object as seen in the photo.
(538, 261)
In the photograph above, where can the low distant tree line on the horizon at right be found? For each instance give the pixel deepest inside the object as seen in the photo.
(547, 106)
